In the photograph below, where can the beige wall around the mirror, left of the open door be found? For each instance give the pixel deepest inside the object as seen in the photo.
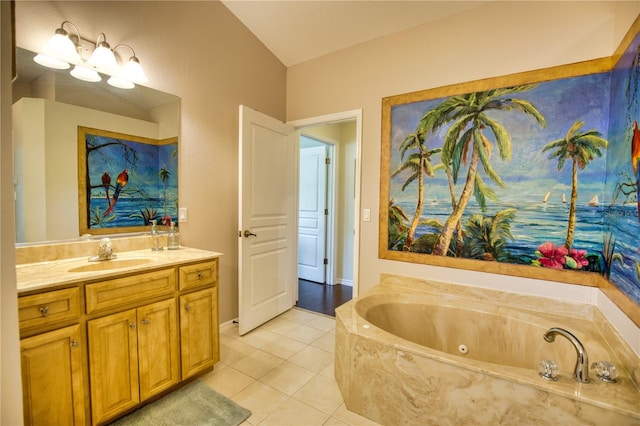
(200, 52)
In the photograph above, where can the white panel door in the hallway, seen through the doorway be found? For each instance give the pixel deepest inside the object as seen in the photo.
(311, 214)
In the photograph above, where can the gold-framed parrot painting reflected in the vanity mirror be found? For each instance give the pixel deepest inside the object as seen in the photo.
(125, 181)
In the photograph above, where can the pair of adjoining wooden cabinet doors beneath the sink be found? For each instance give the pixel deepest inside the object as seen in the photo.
(133, 355)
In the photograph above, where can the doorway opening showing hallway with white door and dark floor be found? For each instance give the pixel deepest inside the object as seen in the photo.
(327, 214)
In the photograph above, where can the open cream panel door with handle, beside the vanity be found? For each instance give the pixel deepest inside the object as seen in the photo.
(267, 218)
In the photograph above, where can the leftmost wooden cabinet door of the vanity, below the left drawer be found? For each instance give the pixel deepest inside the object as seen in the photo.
(52, 378)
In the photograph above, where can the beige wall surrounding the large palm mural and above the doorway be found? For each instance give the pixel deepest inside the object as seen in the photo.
(492, 40)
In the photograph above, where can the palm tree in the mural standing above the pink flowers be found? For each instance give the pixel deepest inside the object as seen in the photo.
(580, 148)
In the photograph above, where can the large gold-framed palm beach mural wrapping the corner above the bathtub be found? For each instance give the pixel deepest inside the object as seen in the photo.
(527, 174)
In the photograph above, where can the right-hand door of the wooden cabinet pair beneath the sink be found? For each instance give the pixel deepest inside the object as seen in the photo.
(158, 347)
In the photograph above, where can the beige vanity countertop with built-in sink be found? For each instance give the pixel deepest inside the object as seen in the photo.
(62, 272)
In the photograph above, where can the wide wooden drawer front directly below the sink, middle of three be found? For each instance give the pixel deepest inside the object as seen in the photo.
(129, 290)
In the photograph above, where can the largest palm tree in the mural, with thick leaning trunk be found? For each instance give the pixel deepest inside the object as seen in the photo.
(465, 143)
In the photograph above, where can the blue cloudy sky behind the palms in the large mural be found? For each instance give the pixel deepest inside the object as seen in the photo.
(530, 173)
